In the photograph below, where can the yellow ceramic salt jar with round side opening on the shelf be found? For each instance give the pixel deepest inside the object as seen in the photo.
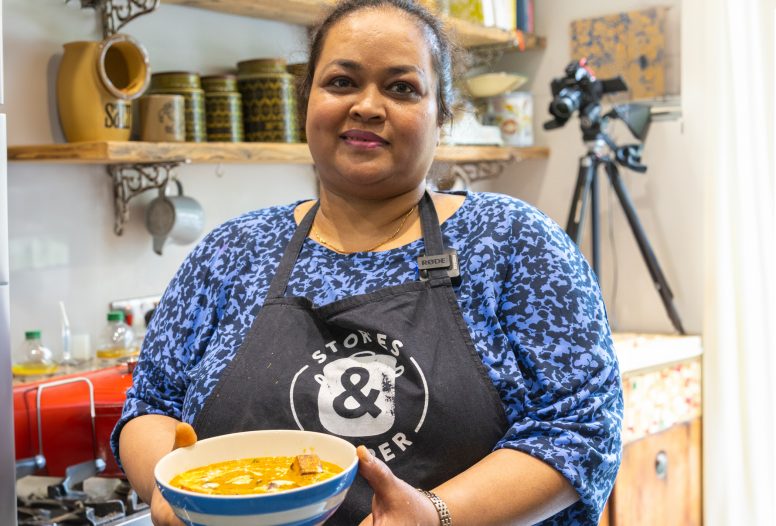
(96, 83)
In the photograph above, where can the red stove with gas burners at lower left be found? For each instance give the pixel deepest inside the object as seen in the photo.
(65, 470)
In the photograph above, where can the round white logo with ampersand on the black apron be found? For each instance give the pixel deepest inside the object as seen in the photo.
(353, 380)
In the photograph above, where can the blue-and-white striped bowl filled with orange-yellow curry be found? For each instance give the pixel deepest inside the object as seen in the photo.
(269, 477)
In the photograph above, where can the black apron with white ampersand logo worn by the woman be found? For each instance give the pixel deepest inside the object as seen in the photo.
(394, 369)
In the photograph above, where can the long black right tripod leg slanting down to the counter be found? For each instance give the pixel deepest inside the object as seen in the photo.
(646, 250)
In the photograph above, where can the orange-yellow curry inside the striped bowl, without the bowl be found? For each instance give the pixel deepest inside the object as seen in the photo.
(256, 475)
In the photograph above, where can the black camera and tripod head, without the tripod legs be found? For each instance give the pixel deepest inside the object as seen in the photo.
(580, 90)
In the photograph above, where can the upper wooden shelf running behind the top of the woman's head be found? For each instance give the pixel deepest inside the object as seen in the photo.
(308, 12)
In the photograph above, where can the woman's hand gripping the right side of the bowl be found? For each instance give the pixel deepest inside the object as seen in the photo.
(395, 502)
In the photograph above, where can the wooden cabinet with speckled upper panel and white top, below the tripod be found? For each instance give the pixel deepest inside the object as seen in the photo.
(659, 482)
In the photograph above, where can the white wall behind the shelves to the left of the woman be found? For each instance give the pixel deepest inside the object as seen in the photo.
(61, 216)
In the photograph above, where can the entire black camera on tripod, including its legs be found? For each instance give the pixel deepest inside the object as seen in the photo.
(580, 91)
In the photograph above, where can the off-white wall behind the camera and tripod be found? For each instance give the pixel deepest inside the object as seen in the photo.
(668, 197)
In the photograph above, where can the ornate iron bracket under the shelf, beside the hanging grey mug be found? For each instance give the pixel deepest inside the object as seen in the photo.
(130, 180)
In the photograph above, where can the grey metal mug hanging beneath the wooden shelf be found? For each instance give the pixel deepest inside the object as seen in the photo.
(177, 219)
